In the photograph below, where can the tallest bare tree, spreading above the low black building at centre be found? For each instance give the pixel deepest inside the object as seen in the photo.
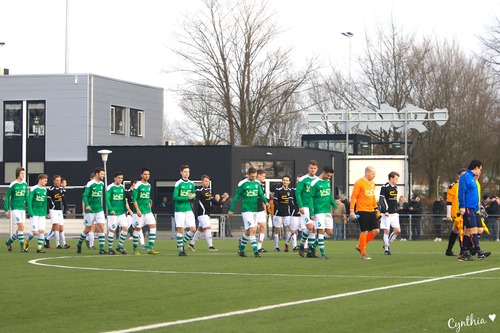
(228, 50)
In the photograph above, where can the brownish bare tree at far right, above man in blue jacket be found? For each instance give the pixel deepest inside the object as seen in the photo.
(463, 85)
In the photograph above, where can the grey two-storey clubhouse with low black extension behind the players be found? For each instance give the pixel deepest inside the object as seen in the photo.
(58, 123)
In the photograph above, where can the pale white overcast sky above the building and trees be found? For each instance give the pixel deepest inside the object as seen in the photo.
(128, 39)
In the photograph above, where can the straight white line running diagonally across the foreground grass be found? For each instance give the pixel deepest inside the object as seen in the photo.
(282, 305)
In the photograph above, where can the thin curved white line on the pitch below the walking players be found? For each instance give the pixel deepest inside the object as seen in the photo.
(38, 262)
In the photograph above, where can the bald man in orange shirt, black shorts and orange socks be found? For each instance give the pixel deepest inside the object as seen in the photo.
(363, 198)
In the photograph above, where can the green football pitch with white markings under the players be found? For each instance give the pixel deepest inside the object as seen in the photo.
(62, 291)
